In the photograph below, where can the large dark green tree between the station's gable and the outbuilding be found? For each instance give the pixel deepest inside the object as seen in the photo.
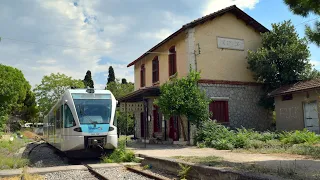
(282, 60)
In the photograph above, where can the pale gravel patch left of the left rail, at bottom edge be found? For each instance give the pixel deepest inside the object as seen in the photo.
(70, 175)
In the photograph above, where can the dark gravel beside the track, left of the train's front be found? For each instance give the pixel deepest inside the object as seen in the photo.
(44, 156)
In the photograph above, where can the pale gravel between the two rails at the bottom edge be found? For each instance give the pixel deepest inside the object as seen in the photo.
(120, 173)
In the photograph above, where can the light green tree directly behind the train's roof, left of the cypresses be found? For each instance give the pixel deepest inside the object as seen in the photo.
(51, 88)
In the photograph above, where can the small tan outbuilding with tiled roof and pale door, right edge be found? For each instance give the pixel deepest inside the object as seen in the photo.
(297, 106)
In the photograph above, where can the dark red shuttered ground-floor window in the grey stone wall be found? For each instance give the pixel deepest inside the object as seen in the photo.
(219, 111)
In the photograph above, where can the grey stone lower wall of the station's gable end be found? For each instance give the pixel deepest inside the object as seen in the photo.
(243, 104)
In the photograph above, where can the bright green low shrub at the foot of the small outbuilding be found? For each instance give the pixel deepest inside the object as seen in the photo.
(298, 137)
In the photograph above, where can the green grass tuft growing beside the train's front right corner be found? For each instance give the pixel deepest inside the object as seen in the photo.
(121, 154)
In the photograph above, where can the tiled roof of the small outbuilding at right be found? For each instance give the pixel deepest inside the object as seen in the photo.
(297, 87)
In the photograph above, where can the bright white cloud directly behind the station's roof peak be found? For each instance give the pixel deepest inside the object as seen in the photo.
(216, 5)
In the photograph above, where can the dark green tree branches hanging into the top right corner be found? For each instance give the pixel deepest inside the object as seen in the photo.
(304, 8)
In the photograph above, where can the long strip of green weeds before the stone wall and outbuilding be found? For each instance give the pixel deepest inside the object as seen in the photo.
(215, 135)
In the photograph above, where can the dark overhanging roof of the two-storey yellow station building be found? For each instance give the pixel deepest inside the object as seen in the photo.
(232, 9)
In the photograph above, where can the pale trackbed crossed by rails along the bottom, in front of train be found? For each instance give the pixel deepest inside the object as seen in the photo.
(88, 172)
